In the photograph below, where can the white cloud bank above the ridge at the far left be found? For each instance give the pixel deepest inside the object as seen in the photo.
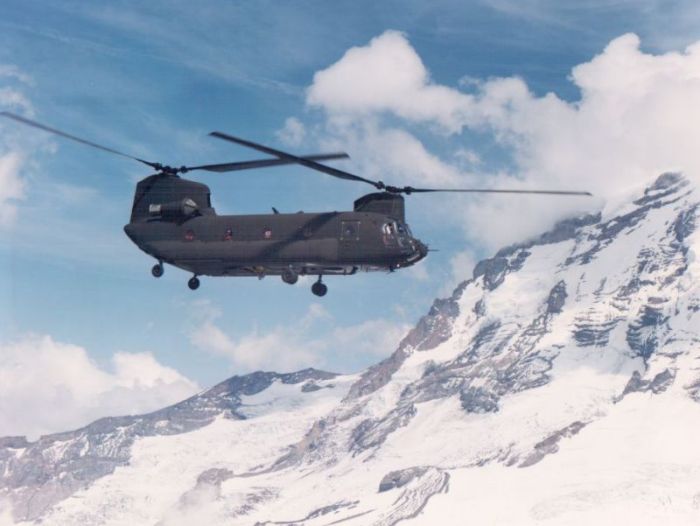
(48, 386)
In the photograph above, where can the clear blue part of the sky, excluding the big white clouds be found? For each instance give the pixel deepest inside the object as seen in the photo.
(154, 78)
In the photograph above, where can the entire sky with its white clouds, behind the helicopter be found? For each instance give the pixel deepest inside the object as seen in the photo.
(597, 95)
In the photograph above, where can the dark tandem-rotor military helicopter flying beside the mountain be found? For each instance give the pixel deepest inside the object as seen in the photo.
(172, 220)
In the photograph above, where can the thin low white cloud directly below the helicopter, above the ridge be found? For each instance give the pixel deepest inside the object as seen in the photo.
(299, 345)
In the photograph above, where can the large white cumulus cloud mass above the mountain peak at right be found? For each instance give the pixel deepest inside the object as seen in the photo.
(635, 119)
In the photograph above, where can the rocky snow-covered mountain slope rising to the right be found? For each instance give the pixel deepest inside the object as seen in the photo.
(559, 385)
